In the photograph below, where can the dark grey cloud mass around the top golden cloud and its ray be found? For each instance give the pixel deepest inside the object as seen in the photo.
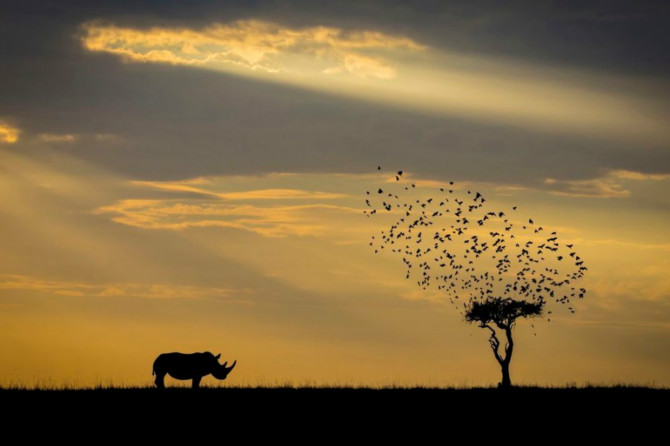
(178, 122)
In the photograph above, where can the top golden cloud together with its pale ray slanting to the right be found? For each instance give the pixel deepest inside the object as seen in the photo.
(398, 71)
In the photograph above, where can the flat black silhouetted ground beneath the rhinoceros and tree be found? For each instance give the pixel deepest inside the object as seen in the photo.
(382, 413)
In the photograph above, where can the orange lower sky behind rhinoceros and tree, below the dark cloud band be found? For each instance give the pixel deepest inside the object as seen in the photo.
(102, 273)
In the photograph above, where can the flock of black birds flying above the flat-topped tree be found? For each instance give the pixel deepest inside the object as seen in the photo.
(452, 240)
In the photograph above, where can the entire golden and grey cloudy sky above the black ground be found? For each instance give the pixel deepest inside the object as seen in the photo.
(191, 176)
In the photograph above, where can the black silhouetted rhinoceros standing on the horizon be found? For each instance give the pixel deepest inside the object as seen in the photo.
(189, 366)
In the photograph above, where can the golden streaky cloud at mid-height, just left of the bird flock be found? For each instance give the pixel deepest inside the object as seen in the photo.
(205, 202)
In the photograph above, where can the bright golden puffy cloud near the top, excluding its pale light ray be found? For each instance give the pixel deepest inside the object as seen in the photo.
(255, 45)
